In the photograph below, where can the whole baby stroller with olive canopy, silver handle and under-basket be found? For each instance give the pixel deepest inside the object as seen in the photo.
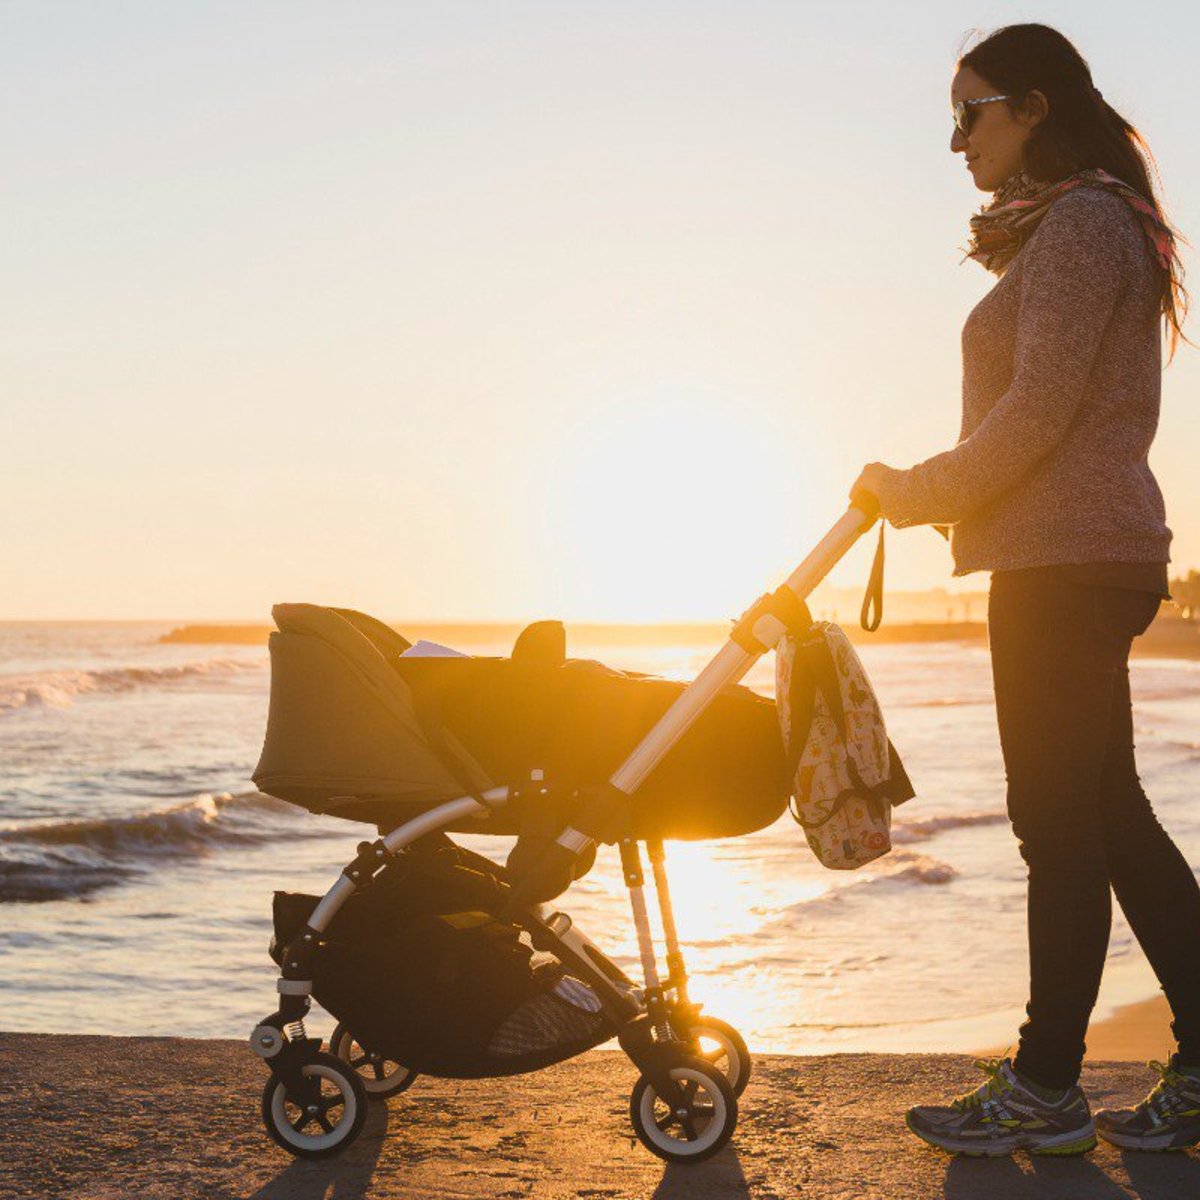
(435, 959)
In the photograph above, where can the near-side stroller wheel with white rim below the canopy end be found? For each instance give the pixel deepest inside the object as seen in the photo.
(321, 1129)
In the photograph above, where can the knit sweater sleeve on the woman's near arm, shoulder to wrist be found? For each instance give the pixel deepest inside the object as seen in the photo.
(1072, 273)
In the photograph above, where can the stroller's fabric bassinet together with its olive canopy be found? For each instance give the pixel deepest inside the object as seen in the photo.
(361, 731)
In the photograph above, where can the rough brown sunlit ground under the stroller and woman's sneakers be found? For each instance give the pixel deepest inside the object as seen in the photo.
(165, 1119)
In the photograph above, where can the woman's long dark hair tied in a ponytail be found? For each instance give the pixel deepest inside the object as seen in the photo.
(1081, 133)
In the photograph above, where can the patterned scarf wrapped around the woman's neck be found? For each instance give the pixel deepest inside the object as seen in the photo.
(1001, 229)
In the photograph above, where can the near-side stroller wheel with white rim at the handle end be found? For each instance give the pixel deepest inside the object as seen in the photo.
(700, 1127)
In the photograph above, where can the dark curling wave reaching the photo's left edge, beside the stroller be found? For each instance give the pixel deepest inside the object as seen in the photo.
(69, 860)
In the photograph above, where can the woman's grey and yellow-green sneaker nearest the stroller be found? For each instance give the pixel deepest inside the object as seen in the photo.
(1004, 1115)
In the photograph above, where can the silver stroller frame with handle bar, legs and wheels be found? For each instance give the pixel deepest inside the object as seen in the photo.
(683, 1107)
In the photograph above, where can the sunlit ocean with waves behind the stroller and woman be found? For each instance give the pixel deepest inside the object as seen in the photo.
(137, 862)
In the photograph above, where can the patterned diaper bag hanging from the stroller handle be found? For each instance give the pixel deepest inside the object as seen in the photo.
(847, 773)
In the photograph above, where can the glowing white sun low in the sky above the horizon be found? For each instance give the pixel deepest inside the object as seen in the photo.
(670, 507)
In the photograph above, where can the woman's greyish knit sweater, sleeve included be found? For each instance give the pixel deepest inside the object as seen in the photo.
(1061, 376)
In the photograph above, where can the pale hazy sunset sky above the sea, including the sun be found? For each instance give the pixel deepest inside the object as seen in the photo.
(499, 310)
